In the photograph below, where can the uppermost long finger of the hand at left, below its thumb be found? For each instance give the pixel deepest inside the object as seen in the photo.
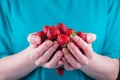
(41, 49)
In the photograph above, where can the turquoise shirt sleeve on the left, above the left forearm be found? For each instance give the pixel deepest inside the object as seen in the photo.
(5, 30)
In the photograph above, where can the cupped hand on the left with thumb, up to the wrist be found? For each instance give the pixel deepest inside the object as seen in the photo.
(42, 54)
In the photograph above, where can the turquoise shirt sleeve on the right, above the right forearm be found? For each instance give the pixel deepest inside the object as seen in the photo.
(112, 41)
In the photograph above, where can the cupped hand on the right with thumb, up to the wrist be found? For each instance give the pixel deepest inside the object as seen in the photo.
(80, 59)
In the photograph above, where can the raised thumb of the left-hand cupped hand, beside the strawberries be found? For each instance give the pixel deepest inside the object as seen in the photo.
(34, 40)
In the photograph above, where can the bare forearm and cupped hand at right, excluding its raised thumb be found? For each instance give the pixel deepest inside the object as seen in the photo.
(97, 66)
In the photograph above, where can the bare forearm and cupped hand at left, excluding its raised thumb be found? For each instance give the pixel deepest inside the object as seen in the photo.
(29, 59)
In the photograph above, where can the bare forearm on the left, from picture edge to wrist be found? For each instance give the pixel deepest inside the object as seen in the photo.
(16, 66)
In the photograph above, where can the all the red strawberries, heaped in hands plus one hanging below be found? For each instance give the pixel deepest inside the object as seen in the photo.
(60, 33)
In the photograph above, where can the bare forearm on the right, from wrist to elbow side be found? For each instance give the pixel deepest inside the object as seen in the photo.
(102, 68)
